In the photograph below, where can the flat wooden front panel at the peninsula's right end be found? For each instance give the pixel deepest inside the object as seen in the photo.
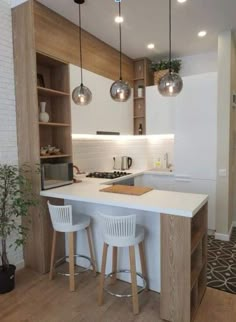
(175, 268)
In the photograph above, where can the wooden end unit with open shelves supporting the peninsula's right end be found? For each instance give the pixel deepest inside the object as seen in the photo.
(183, 266)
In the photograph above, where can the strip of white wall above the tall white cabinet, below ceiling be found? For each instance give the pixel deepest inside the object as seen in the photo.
(199, 64)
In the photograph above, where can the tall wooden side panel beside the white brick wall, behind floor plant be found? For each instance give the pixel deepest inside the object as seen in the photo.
(38, 246)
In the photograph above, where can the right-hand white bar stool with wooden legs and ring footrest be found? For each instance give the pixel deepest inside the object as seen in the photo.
(122, 231)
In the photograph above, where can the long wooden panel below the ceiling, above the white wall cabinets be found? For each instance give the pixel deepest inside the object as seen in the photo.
(59, 38)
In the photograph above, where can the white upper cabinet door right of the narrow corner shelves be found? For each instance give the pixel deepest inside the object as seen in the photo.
(160, 112)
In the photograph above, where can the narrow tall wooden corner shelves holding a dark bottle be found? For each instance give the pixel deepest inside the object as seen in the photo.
(142, 77)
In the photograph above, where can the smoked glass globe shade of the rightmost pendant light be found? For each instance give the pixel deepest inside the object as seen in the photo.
(170, 85)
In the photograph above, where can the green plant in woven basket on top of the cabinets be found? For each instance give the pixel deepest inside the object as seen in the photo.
(161, 68)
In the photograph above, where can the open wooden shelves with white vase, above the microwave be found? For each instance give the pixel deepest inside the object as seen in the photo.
(56, 94)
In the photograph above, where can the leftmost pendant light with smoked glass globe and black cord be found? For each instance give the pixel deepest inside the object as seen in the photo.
(81, 95)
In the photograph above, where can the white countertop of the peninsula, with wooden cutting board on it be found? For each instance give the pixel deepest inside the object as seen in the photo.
(166, 202)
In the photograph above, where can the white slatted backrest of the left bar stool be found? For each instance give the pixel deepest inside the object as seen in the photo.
(61, 216)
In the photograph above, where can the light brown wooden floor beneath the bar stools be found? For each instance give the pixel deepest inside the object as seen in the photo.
(36, 299)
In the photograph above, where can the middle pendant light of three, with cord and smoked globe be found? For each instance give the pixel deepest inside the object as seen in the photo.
(120, 90)
